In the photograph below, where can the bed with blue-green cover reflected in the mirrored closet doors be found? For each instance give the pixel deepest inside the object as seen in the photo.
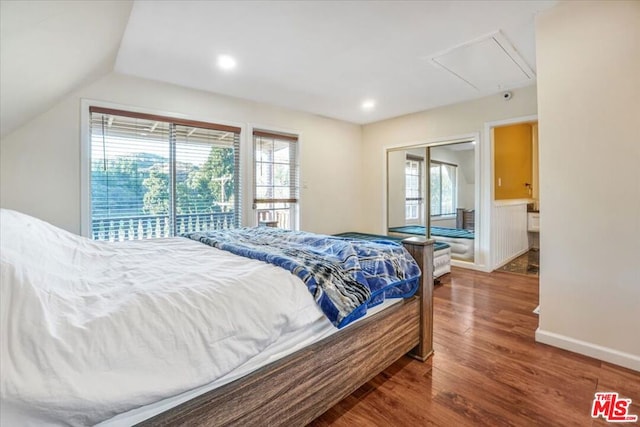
(461, 241)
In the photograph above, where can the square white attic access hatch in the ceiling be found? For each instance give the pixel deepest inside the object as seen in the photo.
(489, 63)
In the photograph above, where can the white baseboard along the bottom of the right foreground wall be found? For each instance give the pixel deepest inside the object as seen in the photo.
(606, 354)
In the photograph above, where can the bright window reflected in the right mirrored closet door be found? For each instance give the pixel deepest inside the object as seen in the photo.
(443, 188)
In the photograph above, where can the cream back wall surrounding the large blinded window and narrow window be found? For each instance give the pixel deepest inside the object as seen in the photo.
(40, 162)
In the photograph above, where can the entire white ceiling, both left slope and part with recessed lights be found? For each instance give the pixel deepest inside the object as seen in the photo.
(323, 57)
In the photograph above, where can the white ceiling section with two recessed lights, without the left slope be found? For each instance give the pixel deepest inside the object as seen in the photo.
(325, 57)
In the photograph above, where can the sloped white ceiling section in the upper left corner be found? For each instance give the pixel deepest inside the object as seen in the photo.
(50, 48)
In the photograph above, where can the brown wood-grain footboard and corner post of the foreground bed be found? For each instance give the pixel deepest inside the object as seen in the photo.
(300, 387)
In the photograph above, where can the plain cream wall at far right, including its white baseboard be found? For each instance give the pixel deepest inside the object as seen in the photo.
(588, 57)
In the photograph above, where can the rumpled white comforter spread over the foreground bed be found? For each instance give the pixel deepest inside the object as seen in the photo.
(91, 329)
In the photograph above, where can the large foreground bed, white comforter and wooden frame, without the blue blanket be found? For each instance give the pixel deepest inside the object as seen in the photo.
(294, 384)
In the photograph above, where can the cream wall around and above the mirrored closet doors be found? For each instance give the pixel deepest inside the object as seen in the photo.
(413, 129)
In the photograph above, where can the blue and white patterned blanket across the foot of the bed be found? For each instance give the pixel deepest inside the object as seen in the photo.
(345, 276)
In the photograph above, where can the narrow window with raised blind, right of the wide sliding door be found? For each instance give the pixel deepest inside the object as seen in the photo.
(275, 178)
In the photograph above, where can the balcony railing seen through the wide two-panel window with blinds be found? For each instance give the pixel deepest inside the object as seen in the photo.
(140, 227)
